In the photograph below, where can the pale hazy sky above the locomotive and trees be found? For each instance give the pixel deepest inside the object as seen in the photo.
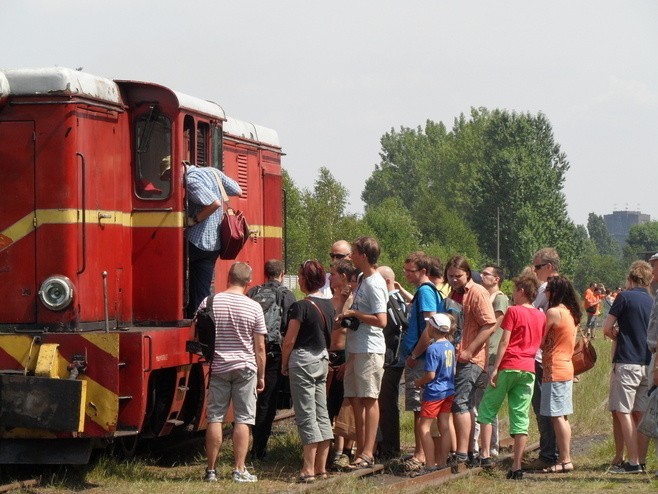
(333, 77)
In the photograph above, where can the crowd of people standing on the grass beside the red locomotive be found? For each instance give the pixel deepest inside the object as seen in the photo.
(463, 348)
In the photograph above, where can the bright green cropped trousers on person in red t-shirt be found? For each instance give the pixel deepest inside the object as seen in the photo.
(517, 386)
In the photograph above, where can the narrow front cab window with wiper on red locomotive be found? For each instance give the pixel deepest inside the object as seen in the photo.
(152, 155)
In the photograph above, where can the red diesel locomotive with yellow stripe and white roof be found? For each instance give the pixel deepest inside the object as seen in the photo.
(93, 261)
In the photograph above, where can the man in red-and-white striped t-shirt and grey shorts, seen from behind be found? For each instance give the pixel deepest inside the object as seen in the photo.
(237, 370)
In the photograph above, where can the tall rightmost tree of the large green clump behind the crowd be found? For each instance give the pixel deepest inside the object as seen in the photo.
(522, 176)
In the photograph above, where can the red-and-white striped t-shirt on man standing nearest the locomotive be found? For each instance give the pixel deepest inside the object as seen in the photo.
(237, 319)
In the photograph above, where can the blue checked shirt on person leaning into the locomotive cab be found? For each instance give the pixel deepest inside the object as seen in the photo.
(202, 190)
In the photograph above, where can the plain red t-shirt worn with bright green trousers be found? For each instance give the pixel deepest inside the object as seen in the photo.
(526, 326)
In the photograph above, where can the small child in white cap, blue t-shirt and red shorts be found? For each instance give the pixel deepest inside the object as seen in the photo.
(439, 389)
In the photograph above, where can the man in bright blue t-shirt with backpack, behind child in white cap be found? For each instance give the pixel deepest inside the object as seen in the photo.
(426, 302)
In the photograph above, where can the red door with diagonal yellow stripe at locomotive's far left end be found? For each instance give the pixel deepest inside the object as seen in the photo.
(18, 287)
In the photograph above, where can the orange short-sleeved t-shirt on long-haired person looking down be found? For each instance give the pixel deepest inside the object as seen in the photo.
(478, 312)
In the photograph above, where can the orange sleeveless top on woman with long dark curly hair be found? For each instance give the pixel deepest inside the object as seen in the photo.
(558, 347)
